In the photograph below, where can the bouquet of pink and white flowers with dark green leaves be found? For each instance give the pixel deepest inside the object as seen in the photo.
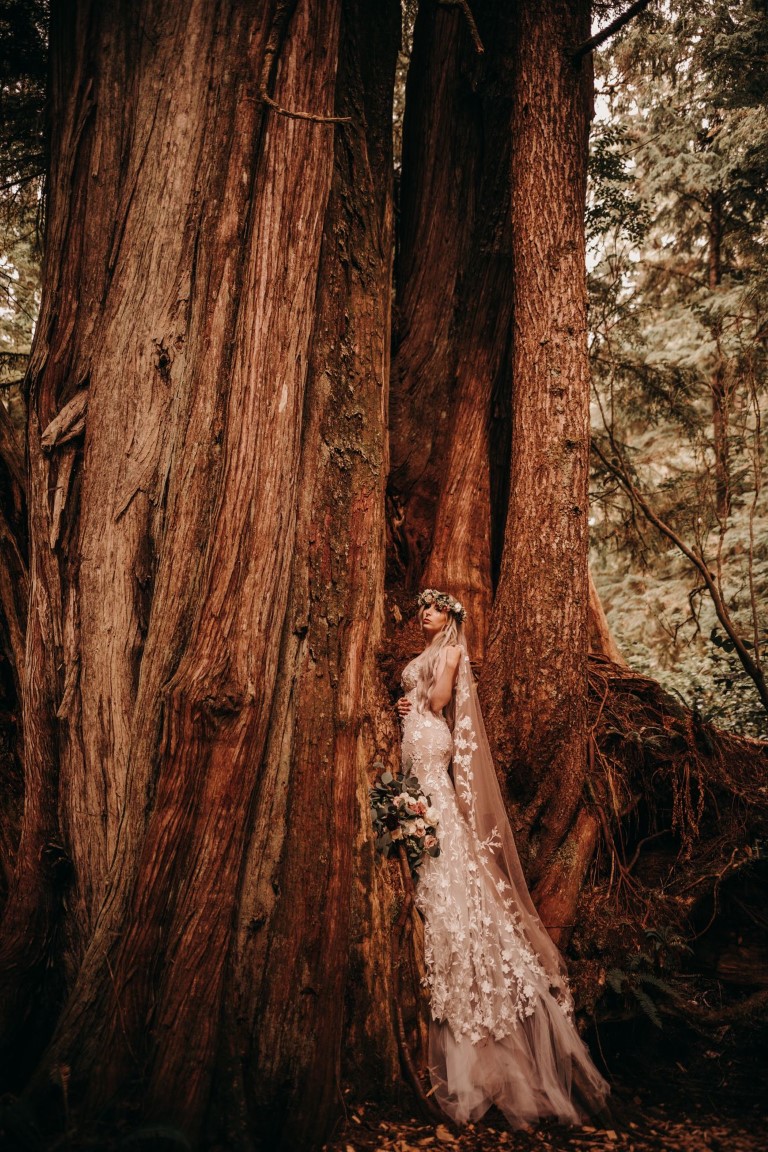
(402, 814)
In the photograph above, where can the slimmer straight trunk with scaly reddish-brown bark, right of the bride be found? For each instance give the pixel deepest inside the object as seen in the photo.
(535, 679)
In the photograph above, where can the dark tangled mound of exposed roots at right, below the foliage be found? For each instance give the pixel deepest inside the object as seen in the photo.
(674, 895)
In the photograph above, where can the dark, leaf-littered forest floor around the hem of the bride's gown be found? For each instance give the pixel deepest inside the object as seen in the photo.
(714, 1103)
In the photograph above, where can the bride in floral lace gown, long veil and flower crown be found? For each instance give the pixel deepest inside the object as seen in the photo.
(503, 1027)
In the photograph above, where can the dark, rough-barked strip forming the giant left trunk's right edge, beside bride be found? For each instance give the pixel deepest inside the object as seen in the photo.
(295, 987)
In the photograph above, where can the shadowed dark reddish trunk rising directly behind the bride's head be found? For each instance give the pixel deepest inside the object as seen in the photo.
(455, 304)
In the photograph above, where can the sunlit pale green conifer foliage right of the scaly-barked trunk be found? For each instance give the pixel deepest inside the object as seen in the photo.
(678, 226)
